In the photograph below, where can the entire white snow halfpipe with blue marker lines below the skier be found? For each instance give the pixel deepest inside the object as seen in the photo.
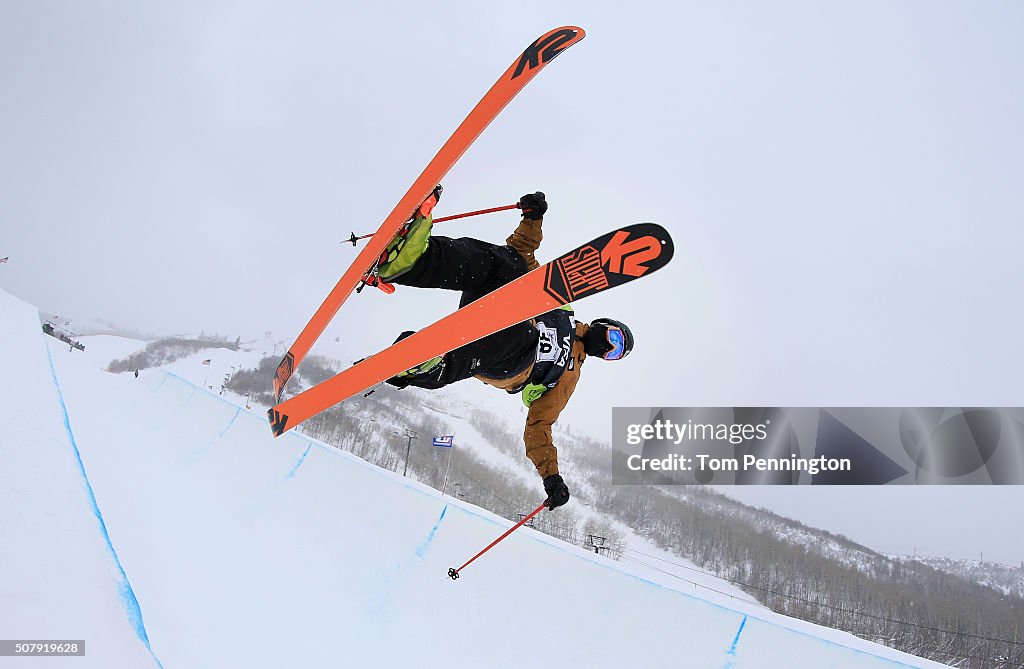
(243, 551)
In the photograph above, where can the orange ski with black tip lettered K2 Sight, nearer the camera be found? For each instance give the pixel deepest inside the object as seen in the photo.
(613, 260)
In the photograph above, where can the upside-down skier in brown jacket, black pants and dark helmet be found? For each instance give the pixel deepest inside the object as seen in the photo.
(541, 359)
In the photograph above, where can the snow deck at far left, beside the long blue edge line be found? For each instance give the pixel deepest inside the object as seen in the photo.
(60, 575)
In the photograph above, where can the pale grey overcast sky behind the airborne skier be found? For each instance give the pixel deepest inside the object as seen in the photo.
(843, 181)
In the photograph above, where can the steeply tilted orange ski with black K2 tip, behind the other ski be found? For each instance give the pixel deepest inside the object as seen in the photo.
(537, 56)
